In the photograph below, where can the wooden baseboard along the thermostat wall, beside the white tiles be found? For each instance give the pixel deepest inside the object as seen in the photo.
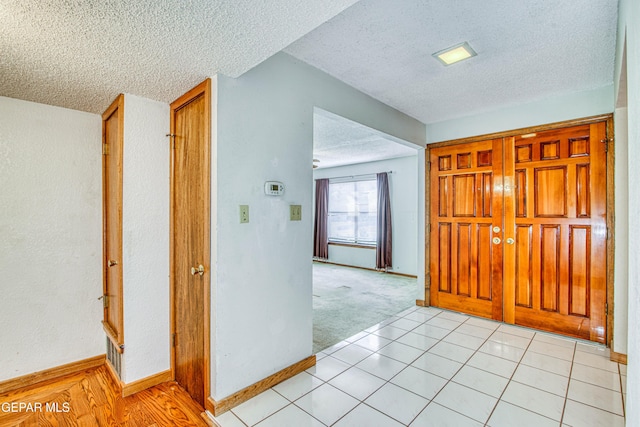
(223, 405)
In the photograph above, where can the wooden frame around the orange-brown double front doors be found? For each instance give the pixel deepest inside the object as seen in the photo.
(610, 202)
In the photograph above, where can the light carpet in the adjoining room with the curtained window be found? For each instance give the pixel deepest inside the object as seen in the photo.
(347, 300)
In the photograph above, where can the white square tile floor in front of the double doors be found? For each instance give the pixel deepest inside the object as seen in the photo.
(430, 367)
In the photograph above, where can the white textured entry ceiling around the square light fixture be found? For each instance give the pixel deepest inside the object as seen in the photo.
(527, 50)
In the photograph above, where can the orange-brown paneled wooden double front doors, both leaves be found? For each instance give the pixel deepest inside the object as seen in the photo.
(518, 229)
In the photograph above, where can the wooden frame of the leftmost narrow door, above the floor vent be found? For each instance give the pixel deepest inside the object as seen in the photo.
(116, 337)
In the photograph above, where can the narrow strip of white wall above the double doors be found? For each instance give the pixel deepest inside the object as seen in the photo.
(555, 109)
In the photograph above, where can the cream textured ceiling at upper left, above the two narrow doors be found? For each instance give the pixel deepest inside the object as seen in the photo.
(81, 53)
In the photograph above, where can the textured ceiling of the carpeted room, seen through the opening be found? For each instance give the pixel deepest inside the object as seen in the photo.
(338, 141)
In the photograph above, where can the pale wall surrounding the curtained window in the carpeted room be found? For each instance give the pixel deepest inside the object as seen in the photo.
(403, 189)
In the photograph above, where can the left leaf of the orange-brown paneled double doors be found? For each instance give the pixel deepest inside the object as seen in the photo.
(462, 219)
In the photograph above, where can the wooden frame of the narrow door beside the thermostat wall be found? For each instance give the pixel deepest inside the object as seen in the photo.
(205, 89)
